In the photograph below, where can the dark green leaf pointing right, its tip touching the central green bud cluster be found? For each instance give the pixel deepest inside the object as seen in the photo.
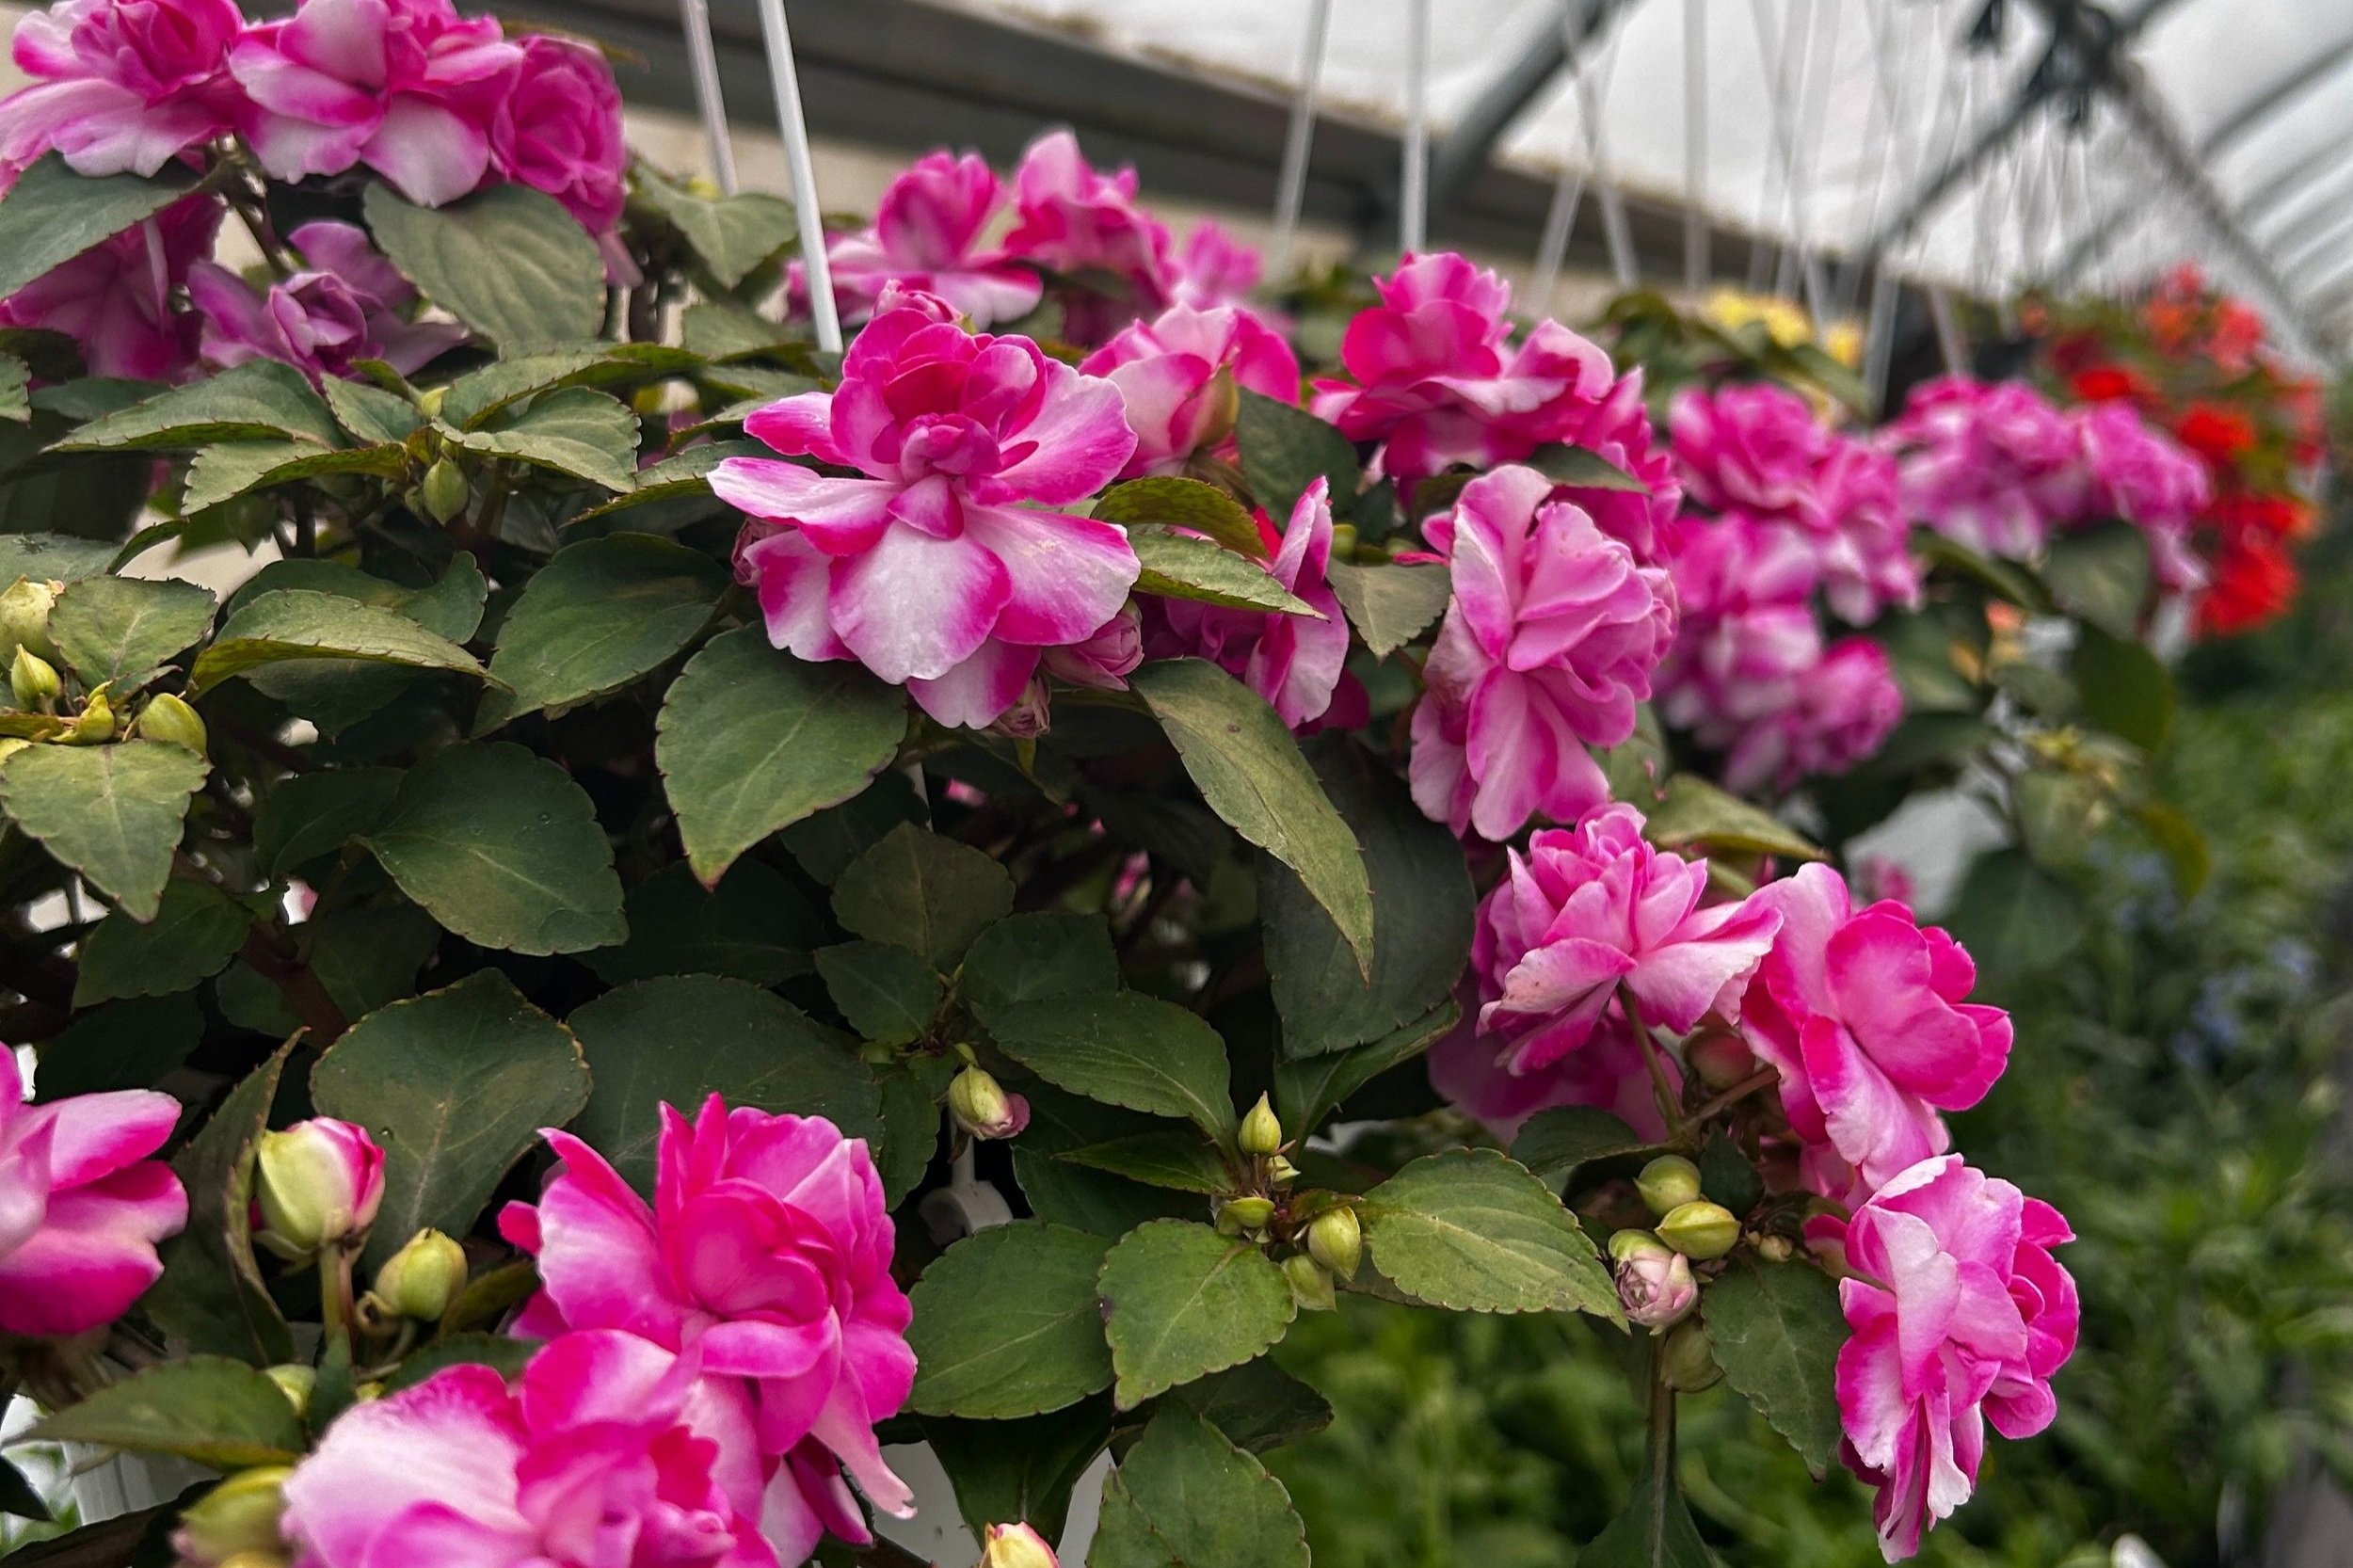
(1124, 1049)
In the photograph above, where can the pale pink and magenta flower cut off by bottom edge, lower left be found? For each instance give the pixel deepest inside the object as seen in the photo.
(608, 1454)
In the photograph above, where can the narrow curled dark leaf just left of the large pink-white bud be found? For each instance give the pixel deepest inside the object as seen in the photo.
(211, 1296)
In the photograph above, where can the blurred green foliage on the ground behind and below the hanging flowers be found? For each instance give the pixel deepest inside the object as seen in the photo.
(2178, 1089)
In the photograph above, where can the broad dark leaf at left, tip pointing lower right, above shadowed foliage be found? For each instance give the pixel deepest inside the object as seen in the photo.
(505, 849)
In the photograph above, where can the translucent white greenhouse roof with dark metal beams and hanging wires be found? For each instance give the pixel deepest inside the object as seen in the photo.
(1975, 145)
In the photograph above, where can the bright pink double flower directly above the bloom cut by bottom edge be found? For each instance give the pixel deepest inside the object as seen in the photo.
(766, 1256)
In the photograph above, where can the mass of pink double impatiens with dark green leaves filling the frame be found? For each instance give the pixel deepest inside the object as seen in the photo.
(559, 974)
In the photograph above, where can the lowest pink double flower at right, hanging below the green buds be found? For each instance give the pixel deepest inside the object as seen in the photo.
(1961, 1315)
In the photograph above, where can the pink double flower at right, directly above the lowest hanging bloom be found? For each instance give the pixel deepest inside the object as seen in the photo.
(1865, 1016)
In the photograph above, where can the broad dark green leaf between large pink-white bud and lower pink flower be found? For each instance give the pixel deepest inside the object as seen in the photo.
(455, 1087)
